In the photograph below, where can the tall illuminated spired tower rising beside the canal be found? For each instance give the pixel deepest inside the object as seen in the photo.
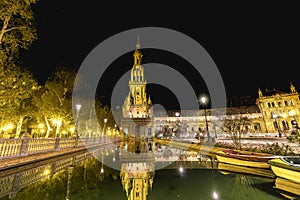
(137, 109)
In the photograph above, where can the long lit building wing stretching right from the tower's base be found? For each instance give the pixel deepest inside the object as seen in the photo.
(274, 112)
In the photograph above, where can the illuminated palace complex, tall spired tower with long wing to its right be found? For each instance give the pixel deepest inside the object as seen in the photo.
(273, 112)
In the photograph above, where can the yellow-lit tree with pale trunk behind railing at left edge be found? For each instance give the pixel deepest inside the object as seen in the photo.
(16, 88)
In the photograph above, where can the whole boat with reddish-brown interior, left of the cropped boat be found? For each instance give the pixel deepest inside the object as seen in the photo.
(243, 158)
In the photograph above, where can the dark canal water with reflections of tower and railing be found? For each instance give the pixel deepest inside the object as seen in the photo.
(85, 177)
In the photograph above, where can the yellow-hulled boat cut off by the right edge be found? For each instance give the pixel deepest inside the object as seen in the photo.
(287, 167)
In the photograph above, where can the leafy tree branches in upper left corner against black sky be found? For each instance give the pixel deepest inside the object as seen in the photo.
(17, 30)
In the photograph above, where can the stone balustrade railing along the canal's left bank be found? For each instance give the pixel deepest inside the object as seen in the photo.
(26, 146)
